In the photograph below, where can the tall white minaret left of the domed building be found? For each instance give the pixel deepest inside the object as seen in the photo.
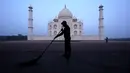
(30, 23)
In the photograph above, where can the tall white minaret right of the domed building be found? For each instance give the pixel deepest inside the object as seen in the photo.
(101, 27)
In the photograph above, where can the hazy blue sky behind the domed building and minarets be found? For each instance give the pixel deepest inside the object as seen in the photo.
(14, 16)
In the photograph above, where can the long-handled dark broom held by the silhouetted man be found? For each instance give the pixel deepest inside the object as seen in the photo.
(35, 60)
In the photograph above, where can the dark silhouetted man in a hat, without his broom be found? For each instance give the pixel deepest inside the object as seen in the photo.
(66, 32)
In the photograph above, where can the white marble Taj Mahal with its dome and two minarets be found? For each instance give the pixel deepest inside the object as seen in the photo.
(76, 26)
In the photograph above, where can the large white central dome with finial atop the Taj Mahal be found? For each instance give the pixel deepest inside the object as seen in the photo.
(65, 13)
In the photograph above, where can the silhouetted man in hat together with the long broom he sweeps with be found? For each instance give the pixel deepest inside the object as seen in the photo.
(66, 32)
